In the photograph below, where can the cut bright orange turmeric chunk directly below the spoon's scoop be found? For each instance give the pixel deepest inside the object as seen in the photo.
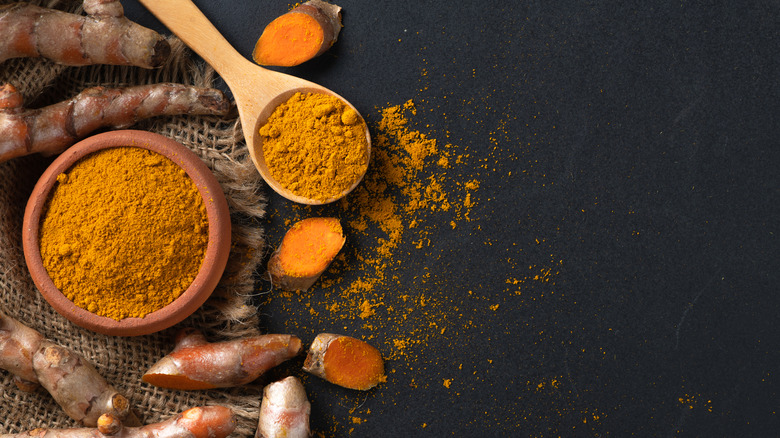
(306, 251)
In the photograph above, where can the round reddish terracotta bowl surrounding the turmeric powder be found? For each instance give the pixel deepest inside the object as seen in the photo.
(217, 249)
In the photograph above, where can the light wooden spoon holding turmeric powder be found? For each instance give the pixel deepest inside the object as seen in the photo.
(257, 91)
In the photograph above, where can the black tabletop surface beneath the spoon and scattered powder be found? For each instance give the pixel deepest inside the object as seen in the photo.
(626, 153)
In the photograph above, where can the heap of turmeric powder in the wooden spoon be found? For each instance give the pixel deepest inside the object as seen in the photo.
(315, 146)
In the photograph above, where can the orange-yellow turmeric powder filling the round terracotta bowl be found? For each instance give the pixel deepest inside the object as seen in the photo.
(124, 232)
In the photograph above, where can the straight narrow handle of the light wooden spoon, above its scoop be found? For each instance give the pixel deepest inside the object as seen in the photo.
(183, 18)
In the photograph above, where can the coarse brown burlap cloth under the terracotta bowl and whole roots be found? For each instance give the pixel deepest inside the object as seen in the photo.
(229, 312)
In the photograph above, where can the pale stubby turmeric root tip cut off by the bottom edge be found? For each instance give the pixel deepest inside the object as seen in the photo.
(284, 411)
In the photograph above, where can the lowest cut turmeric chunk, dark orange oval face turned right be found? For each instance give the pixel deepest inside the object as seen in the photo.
(345, 361)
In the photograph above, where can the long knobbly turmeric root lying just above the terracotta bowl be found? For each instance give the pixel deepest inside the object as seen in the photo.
(53, 129)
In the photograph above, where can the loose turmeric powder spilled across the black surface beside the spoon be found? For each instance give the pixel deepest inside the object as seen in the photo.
(414, 184)
